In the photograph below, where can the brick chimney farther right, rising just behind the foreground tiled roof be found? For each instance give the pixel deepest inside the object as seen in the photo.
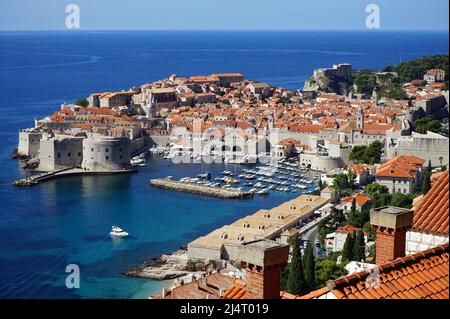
(391, 225)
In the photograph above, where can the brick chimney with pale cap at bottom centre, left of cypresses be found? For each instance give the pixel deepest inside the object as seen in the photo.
(263, 261)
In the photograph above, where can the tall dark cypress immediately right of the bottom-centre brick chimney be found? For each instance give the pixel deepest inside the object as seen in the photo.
(296, 279)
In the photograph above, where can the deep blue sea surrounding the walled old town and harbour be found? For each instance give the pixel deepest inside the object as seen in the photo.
(65, 221)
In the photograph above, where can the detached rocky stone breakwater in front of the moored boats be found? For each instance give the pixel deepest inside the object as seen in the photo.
(193, 188)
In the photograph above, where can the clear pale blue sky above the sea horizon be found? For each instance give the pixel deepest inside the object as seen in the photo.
(223, 15)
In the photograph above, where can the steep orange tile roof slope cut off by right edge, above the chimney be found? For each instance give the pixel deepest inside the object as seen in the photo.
(431, 213)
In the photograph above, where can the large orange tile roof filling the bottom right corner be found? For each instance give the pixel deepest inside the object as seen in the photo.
(423, 275)
